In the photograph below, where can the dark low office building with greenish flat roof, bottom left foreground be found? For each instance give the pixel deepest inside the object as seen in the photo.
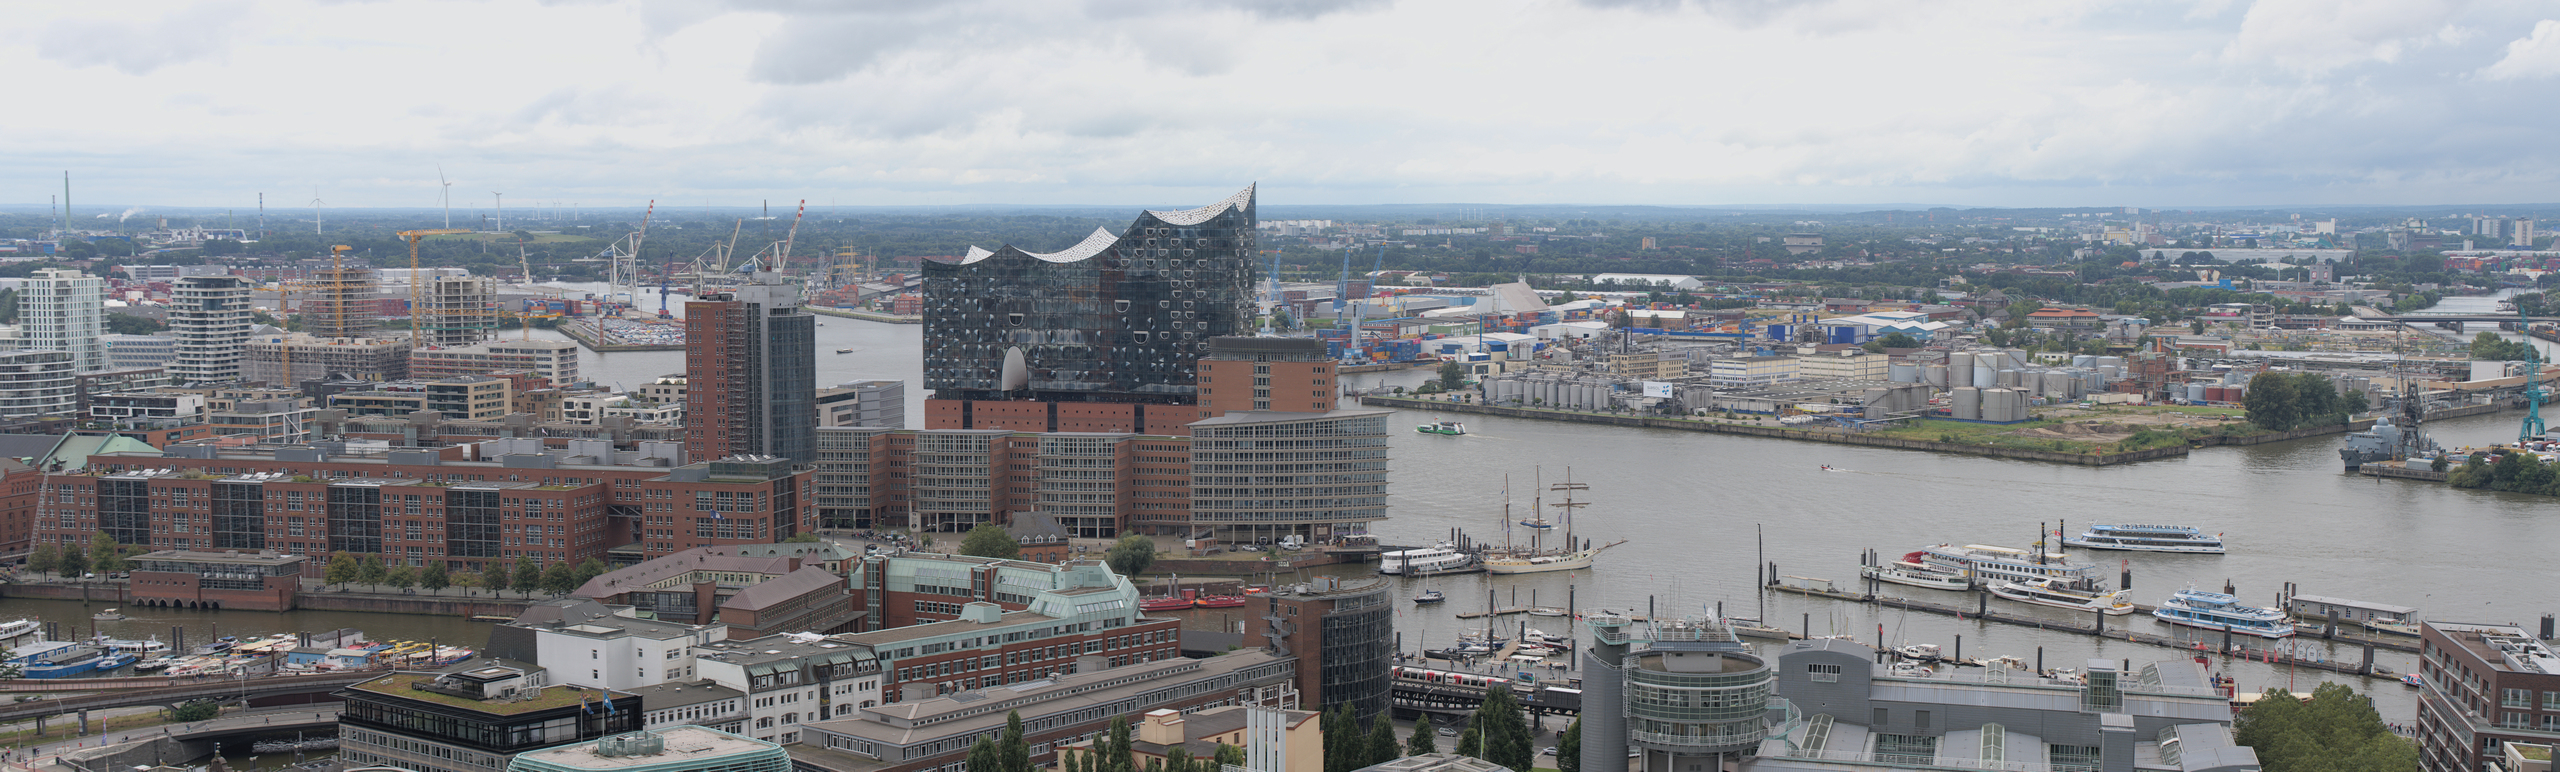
(475, 717)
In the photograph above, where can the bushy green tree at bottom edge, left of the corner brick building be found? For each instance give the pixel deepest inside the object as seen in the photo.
(2333, 730)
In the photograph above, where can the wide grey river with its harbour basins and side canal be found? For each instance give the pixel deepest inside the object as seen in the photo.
(1701, 510)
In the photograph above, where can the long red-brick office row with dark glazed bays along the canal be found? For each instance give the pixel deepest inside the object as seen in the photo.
(421, 505)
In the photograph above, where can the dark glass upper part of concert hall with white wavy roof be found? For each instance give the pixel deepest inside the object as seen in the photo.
(1117, 318)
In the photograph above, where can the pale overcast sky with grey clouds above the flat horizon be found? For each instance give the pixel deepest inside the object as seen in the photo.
(613, 104)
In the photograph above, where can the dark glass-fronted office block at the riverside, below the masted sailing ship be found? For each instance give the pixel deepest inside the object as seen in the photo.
(1343, 635)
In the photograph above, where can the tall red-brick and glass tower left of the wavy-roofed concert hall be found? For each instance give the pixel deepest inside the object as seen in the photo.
(751, 372)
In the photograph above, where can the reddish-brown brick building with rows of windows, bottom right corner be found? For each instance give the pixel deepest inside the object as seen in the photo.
(2487, 686)
